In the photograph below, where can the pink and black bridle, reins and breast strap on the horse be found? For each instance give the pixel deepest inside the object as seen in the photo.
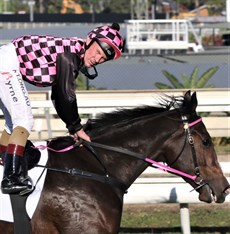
(197, 178)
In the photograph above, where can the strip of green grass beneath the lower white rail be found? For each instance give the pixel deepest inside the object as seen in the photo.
(165, 218)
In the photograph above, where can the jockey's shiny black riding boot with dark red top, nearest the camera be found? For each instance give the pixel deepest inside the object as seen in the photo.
(13, 177)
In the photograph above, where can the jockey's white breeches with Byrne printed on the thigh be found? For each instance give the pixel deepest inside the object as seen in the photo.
(14, 99)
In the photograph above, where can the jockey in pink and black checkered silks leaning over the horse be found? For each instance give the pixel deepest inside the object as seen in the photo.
(45, 61)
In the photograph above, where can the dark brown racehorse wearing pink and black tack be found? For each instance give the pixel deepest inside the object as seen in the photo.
(85, 186)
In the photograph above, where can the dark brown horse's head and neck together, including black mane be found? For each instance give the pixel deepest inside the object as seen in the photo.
(174, 134)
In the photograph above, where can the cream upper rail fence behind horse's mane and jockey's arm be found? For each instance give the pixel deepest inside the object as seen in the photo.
(91, 103)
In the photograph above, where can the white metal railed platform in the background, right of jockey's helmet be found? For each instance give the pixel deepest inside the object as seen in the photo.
(160, 35)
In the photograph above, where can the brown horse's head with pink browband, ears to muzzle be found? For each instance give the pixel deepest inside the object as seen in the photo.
(195, 154)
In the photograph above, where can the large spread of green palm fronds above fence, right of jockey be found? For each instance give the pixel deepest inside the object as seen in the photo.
(188, 82)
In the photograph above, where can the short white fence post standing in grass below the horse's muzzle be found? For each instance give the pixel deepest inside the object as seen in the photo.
(185, 218)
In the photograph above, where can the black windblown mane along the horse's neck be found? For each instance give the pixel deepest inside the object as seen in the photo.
(123, 116)
